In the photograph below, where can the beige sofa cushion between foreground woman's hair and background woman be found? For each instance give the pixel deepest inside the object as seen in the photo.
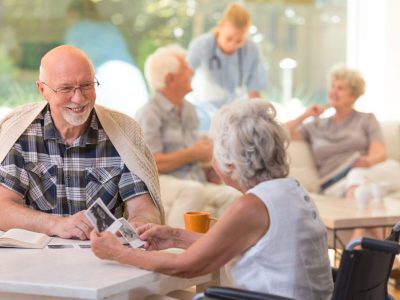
(302, 166)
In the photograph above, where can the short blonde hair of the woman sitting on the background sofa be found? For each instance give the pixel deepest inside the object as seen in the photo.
(352, 78)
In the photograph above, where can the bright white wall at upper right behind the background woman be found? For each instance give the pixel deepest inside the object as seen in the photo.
(373, 47)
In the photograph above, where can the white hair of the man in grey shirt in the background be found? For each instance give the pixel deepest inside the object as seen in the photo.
(161, 63)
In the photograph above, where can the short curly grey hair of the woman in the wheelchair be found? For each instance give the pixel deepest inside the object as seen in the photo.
(246, 135)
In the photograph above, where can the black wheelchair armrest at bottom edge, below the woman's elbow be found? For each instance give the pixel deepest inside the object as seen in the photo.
(239, 294)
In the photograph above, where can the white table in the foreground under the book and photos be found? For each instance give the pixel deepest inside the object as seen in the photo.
(77, 274)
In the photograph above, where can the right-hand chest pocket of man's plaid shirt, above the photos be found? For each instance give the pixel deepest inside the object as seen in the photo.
(102, 183)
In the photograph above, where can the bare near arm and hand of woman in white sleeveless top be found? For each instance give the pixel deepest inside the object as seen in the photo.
(244, 223)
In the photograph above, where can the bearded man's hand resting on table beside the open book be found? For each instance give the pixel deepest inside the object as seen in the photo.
(75, 226)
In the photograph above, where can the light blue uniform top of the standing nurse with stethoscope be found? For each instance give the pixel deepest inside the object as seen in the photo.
(220, 78)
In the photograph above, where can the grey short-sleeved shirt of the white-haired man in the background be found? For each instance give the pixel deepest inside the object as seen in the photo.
(167, 131)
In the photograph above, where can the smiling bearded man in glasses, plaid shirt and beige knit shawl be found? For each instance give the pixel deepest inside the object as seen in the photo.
(59, 155)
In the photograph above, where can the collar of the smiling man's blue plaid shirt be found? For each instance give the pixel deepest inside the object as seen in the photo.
(90, 136)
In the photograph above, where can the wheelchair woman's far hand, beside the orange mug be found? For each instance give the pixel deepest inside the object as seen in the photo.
(157, 237)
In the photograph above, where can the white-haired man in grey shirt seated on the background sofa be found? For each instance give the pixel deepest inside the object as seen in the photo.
(170, 125)
